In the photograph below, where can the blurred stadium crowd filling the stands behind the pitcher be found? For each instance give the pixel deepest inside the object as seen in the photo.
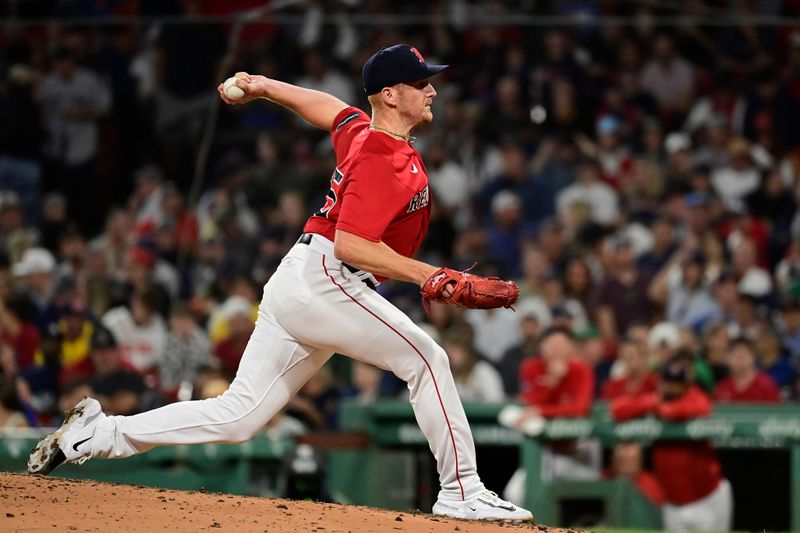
(633, 165)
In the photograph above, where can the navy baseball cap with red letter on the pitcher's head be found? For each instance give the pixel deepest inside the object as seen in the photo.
(396, 64)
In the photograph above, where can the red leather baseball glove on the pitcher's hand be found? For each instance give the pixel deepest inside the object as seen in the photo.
(468, 290)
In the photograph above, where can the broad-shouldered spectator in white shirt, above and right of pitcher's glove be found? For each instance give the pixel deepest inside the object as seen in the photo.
(588, 199)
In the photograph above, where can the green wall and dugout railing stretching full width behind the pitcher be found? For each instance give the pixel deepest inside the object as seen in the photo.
(386, 473)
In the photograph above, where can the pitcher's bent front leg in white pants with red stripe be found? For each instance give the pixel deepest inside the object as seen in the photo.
(358, 322)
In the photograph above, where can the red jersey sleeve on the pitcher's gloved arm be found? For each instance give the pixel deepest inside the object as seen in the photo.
(372, 197)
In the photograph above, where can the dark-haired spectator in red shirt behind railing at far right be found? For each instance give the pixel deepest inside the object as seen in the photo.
(745, 382)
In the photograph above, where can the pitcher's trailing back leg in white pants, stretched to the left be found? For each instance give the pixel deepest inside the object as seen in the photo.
(272, 369)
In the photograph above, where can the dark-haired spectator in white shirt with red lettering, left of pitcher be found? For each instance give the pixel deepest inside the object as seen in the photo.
(139, 330)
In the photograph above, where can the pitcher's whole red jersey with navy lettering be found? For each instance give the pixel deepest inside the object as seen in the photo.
(379, 190)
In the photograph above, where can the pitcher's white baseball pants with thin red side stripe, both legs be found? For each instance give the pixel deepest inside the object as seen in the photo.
(312, 307)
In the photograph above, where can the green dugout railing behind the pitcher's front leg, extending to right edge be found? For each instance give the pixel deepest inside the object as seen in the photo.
(392, 426)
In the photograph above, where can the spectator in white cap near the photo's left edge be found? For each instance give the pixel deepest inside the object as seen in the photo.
(36, 271)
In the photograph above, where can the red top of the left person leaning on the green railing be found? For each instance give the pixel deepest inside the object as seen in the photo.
(571, 397)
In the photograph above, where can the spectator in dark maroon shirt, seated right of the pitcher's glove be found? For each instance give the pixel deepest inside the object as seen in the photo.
(621, 296)
